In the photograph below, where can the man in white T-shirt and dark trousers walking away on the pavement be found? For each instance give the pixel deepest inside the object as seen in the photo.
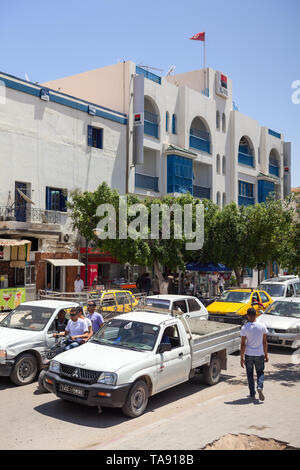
(254, 352)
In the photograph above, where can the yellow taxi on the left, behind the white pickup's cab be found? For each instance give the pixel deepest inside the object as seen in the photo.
(113, 300)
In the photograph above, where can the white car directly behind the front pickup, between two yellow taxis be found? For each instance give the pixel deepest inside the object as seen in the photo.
(190, 306)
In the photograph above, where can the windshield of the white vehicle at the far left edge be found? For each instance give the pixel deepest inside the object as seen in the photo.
(28, 317)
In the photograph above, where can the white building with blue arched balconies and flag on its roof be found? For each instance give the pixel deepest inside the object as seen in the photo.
(194, 137)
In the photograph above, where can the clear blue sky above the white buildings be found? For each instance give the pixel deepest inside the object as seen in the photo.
(256, 43)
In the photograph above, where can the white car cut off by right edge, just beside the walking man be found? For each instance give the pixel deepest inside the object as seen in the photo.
(282, 320)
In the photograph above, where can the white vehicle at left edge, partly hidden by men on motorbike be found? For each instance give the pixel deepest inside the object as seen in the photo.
(26, 335)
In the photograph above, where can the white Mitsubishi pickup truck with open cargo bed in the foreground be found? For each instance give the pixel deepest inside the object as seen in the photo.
(139, 354)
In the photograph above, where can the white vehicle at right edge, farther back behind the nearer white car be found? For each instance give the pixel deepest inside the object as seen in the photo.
(281, 286)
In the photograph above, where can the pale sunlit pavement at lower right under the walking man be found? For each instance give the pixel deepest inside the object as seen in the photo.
(278, 417)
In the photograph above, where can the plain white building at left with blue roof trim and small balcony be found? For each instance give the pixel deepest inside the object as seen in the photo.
(51, 144)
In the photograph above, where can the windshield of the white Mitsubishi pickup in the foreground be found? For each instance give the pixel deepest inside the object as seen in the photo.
(128, 334)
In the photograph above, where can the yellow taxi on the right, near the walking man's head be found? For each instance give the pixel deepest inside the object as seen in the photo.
(233, 304)
